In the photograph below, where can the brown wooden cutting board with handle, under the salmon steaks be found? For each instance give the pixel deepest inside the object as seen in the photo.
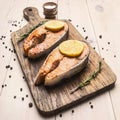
(50, 101)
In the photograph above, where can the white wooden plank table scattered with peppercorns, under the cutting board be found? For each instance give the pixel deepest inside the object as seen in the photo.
(96, 20)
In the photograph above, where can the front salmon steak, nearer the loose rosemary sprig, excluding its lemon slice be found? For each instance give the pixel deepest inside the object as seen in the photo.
(58, 66)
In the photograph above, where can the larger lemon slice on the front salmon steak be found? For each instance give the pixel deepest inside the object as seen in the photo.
(71, 48)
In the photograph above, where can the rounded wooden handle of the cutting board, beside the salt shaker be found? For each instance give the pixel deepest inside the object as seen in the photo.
(31, 14)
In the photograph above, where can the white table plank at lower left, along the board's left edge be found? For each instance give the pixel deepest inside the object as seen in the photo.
(16, 96)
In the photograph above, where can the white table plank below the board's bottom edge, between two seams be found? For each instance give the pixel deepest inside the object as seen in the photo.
(89, 110)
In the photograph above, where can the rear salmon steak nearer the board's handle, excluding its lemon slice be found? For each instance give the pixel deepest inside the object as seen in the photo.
(42, 41)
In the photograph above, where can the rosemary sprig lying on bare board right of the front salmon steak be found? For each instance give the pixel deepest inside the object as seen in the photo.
(87, 80)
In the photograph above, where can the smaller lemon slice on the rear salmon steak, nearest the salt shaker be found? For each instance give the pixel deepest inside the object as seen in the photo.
(54, 25)
